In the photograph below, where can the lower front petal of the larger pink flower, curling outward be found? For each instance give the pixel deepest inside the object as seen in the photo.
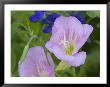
(73, 60)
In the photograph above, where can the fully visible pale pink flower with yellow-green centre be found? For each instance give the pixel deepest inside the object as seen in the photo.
(68, 36)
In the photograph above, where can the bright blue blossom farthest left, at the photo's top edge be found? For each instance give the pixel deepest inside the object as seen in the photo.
(37, 16)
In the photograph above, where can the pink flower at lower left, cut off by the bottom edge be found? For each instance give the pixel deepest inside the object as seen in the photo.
(36, 64)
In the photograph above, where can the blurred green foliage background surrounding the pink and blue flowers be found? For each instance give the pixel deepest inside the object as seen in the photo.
(20, 35)
